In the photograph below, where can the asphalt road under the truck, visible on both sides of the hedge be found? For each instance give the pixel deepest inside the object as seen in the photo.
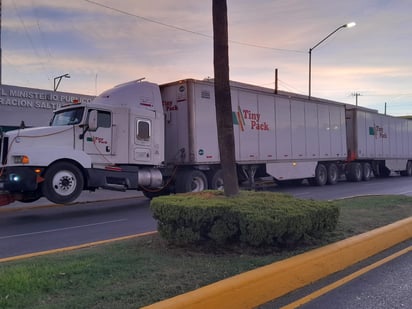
(40, 229)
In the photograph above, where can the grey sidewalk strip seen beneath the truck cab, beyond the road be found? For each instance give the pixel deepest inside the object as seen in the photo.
(85, 197)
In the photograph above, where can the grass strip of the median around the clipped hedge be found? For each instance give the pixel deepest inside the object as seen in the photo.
(138, 272)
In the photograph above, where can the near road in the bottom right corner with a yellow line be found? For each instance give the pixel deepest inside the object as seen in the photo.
(380, 282)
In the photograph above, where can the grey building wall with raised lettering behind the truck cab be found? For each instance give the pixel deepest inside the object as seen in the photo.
(33, 106)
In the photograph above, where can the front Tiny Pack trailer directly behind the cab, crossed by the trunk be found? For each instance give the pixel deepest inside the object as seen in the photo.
(283, 135)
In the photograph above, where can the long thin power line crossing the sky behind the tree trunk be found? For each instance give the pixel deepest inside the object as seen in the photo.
(187, 30)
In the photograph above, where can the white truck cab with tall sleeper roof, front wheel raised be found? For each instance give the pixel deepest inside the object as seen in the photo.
(114, 142)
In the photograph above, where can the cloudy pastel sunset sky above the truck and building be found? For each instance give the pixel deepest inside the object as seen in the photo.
(102, 43)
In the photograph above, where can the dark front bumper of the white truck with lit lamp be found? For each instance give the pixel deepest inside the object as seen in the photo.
(18, 179)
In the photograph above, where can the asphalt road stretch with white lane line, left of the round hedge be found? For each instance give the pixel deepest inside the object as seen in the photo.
(41, 229)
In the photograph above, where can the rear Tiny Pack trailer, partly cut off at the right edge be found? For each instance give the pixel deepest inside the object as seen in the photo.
(380, 142)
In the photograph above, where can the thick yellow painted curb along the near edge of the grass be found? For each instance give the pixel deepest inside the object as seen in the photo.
(267, 283)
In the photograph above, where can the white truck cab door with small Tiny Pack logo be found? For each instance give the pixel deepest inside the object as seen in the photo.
(100, 141)
